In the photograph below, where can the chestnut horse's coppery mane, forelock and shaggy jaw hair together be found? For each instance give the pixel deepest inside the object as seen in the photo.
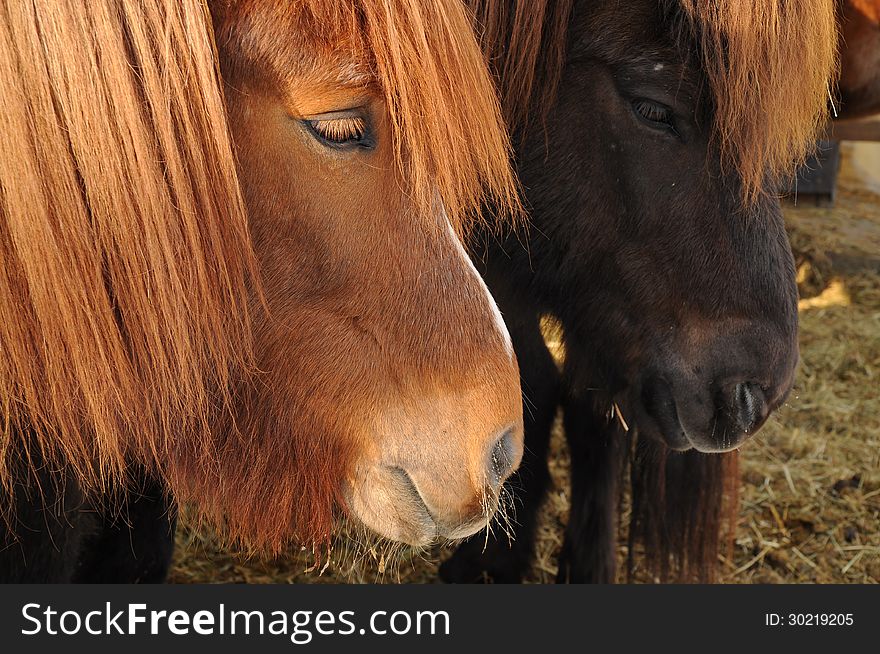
(126, 267)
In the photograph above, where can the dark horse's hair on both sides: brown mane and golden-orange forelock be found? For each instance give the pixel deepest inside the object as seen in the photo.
(770, 68)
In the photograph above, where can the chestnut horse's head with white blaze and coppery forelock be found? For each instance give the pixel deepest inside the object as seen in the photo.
(388, 381)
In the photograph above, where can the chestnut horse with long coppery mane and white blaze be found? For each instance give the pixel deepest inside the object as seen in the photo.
(230, 259)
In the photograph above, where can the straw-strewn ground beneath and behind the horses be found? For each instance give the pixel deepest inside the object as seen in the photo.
(810, 492)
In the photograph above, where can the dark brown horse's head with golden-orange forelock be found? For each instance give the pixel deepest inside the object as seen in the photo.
(658, 242)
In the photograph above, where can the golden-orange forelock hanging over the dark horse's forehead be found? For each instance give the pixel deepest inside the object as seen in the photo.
(771, 67)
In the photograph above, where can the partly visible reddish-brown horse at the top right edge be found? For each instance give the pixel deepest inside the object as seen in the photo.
(859, 58)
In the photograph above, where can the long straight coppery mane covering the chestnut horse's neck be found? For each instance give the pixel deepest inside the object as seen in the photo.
(123, 239)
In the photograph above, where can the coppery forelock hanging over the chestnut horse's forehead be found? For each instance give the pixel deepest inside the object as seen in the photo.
(437, 88)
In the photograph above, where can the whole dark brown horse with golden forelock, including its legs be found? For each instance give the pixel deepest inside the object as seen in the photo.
(649, 136)
